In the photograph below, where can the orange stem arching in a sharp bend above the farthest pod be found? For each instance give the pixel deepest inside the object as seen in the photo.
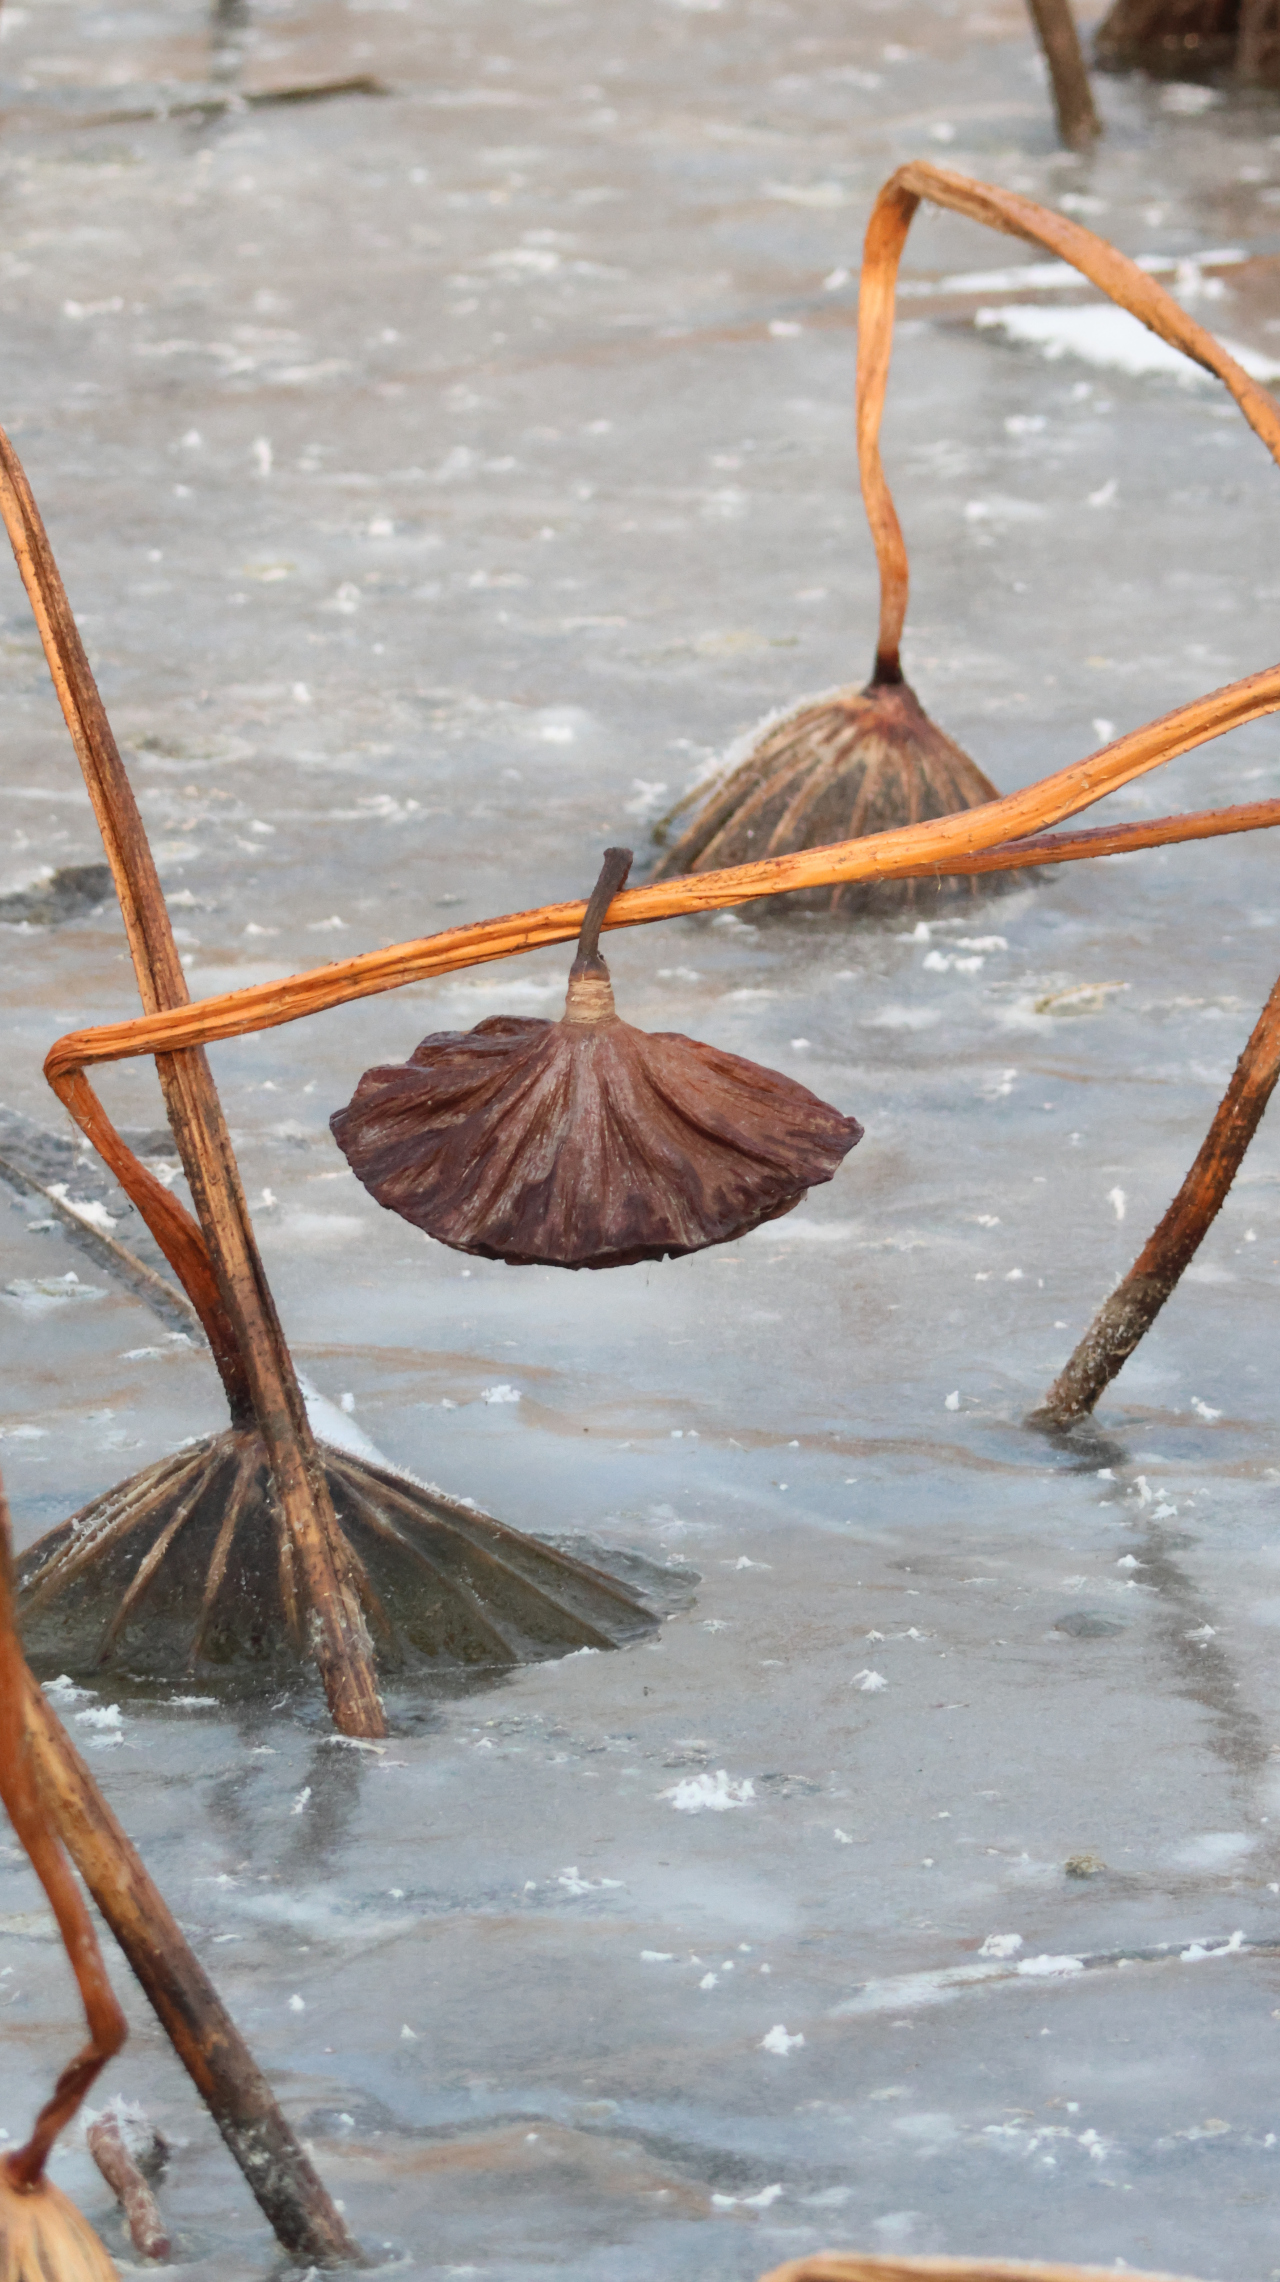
(1019, 218)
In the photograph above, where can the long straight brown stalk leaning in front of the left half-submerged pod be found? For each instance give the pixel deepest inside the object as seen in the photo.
(225, 1274)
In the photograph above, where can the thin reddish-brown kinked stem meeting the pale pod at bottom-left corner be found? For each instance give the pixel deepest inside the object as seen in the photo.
(26, 1813)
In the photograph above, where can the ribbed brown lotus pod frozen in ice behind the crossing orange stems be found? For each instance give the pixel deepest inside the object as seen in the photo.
(839, 768)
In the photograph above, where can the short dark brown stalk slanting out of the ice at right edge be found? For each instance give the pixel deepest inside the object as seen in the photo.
(1137, 1300)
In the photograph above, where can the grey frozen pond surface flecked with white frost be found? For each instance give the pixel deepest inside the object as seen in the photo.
(444, 478)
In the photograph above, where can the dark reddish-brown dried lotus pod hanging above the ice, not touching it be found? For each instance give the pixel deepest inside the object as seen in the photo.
(585, 1144)
